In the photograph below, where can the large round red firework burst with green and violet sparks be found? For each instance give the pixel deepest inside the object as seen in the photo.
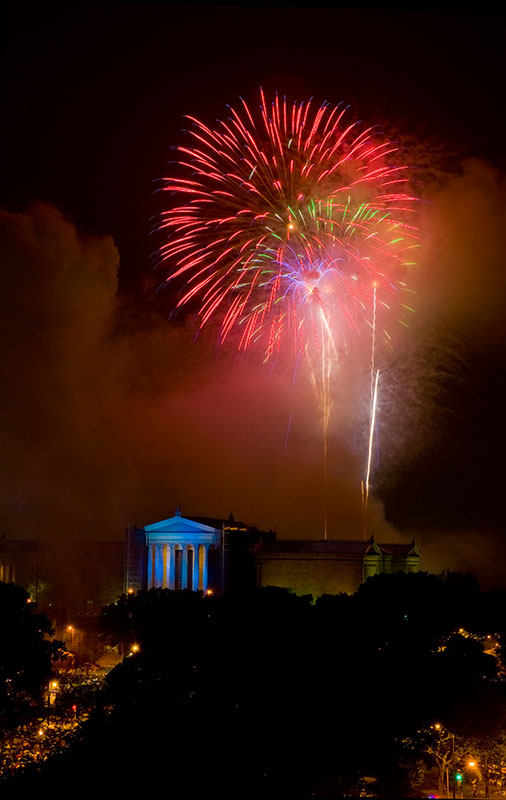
(290, 223)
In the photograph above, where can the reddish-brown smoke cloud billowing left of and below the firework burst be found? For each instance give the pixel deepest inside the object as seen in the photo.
(109, 419)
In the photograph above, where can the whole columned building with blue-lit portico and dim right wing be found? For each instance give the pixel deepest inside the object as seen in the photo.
(207, 554)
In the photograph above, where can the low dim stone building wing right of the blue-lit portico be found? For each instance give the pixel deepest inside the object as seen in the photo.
(329, 566)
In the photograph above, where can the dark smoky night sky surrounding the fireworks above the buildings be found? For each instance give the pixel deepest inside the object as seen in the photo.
(112, 413)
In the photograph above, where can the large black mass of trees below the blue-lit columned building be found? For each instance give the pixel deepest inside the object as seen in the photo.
(266, 694)
